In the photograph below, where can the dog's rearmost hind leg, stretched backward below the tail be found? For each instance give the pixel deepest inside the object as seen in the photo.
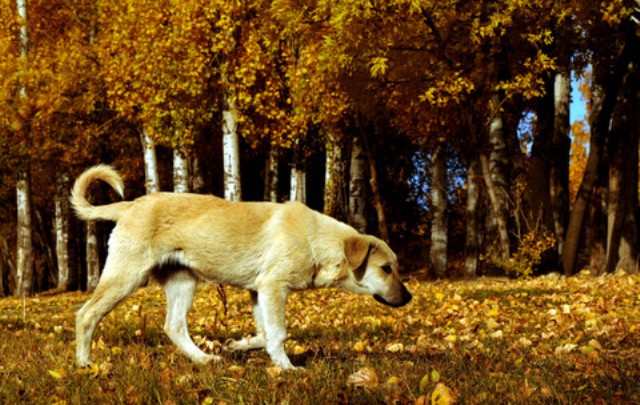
(119, 279)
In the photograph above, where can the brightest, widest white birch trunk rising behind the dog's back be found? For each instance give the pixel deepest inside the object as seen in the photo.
(231, 150)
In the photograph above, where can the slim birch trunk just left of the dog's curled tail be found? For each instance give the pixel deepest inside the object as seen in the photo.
(62, 231)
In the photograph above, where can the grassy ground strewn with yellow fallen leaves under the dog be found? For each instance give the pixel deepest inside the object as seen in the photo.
(569, 341)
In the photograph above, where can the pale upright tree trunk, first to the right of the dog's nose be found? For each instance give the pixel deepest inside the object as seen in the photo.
(439, 207)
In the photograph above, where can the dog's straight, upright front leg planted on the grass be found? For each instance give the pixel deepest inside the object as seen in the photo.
(271, 302)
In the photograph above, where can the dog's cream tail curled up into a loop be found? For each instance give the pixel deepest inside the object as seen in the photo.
(83, 207)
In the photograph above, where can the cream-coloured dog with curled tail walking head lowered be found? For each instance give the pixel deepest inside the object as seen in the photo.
(270, 249)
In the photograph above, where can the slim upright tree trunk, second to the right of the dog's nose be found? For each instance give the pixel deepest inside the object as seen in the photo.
(472, 246)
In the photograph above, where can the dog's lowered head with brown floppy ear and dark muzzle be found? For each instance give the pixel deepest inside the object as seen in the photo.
(373, 269)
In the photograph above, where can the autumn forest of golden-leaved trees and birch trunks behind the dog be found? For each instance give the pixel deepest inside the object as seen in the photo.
(442, 127)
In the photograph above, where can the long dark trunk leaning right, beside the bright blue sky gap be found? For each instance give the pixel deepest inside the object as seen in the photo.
(603, 103)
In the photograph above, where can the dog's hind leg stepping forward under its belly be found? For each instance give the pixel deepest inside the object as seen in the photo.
(179, 288)
